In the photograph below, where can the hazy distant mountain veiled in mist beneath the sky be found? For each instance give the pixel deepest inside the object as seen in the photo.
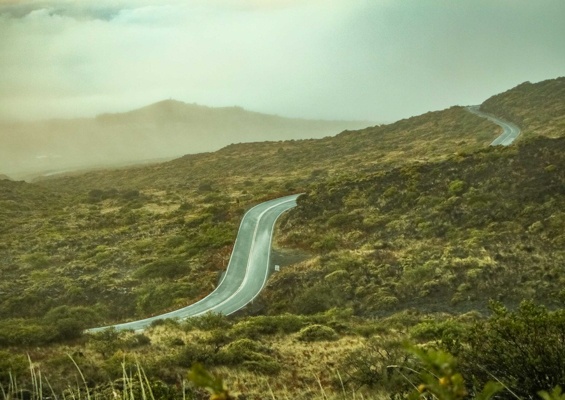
(162, 130)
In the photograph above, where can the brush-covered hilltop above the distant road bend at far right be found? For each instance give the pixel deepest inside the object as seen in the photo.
(538, 108)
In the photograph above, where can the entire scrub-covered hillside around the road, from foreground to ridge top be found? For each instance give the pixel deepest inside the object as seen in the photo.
(406, 232)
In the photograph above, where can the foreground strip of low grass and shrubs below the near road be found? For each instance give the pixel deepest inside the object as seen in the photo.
(328, 355)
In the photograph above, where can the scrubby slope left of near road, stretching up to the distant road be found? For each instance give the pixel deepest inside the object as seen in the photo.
(138, 241)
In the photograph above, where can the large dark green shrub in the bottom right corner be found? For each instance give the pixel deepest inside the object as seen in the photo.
(524, 349)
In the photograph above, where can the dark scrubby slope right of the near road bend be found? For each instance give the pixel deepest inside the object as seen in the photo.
(446, 236)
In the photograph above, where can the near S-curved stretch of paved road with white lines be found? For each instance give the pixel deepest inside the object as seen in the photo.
(247, 270)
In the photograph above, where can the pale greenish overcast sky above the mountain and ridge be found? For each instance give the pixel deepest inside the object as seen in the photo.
(378, 60)
